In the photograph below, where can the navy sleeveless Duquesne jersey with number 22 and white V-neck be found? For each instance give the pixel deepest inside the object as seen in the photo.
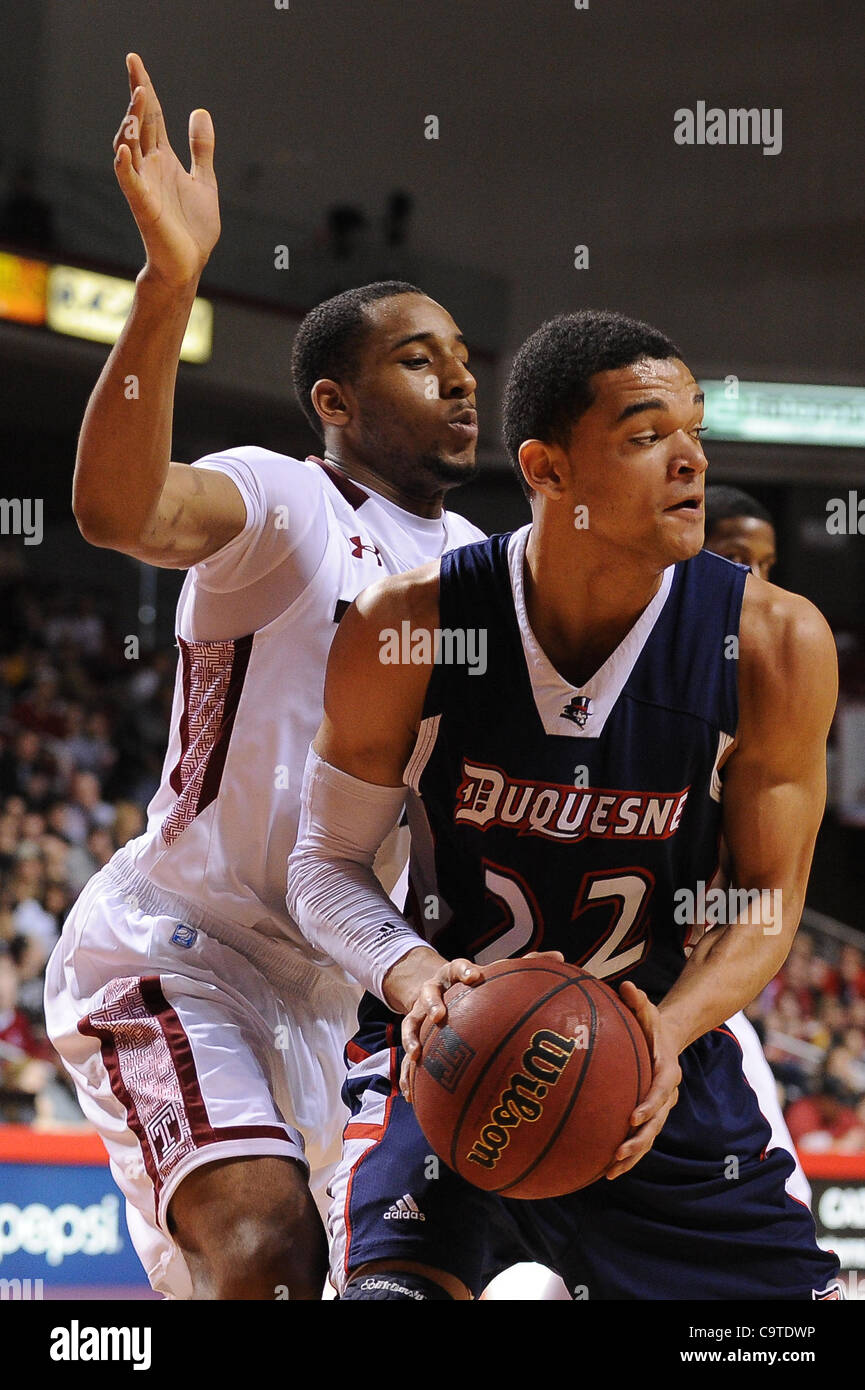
(556, 818)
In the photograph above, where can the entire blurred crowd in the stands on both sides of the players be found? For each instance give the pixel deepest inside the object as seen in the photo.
(83, 737)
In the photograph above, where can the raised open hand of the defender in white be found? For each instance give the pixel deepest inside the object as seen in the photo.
(177, 212)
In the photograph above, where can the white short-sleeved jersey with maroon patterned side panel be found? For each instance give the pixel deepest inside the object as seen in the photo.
(247, 707)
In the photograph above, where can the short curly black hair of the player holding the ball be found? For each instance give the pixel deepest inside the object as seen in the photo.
(549, 389)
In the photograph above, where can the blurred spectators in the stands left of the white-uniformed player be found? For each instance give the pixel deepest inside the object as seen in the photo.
(83, 736)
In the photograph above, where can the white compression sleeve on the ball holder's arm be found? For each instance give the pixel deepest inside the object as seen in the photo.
(333, 893)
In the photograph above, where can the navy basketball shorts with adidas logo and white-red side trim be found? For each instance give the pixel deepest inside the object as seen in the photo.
(706, 1216)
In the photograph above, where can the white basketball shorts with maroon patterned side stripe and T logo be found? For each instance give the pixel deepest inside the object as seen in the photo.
(183, 1054)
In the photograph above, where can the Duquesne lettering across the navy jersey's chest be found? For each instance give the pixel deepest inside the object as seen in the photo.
(489, 797)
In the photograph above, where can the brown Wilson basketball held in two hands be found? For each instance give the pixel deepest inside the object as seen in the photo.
(528, 1088)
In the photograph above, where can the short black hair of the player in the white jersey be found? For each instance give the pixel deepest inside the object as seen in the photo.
(332, 336)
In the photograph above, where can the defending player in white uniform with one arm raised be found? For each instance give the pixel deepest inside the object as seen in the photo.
(204, 1035)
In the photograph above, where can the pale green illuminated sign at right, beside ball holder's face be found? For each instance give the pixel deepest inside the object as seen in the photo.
(770, 412)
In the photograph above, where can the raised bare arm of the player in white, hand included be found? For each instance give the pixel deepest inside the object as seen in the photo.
(127, 496)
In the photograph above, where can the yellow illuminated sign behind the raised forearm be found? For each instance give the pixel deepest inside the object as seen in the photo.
(87, 305)
